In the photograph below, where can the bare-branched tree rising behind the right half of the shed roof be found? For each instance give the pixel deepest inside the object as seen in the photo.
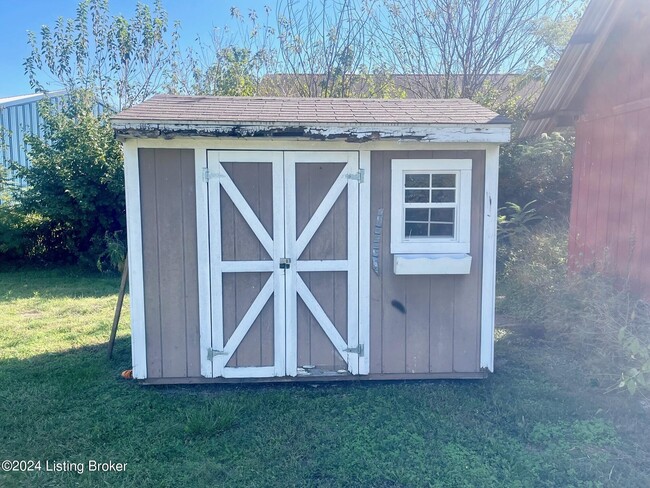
(453, 47)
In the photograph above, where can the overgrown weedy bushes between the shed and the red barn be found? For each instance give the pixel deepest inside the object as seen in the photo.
(587, 311)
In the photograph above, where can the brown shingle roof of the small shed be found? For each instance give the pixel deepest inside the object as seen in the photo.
(296, 111)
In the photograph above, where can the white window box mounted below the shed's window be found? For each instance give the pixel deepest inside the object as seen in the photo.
(431, 264)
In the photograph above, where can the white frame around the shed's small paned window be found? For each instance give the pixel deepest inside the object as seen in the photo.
(457, 244)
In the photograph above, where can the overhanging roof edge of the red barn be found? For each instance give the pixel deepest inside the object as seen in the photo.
(557, 98)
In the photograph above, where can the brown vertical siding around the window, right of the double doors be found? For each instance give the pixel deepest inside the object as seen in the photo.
(438, 330)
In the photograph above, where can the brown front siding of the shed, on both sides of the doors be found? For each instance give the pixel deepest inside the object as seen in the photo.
(438, 334)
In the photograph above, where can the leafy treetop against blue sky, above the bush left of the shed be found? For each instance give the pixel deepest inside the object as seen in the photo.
(123, 61)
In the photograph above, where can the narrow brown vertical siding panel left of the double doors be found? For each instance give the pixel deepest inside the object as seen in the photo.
(167, 194)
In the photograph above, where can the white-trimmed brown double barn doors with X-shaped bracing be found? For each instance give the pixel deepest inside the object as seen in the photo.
(284, 263)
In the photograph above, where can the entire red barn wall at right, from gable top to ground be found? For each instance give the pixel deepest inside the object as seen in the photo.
(610, 210)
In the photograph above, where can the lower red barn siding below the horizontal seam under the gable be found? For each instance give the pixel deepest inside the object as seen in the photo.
(610, 219)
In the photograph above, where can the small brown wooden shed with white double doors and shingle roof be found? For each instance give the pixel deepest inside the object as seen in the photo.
(298, 238)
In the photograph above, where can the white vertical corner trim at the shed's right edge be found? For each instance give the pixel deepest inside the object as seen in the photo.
(489, 256)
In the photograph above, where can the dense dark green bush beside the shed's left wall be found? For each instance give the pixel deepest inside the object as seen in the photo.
(75, 182)
